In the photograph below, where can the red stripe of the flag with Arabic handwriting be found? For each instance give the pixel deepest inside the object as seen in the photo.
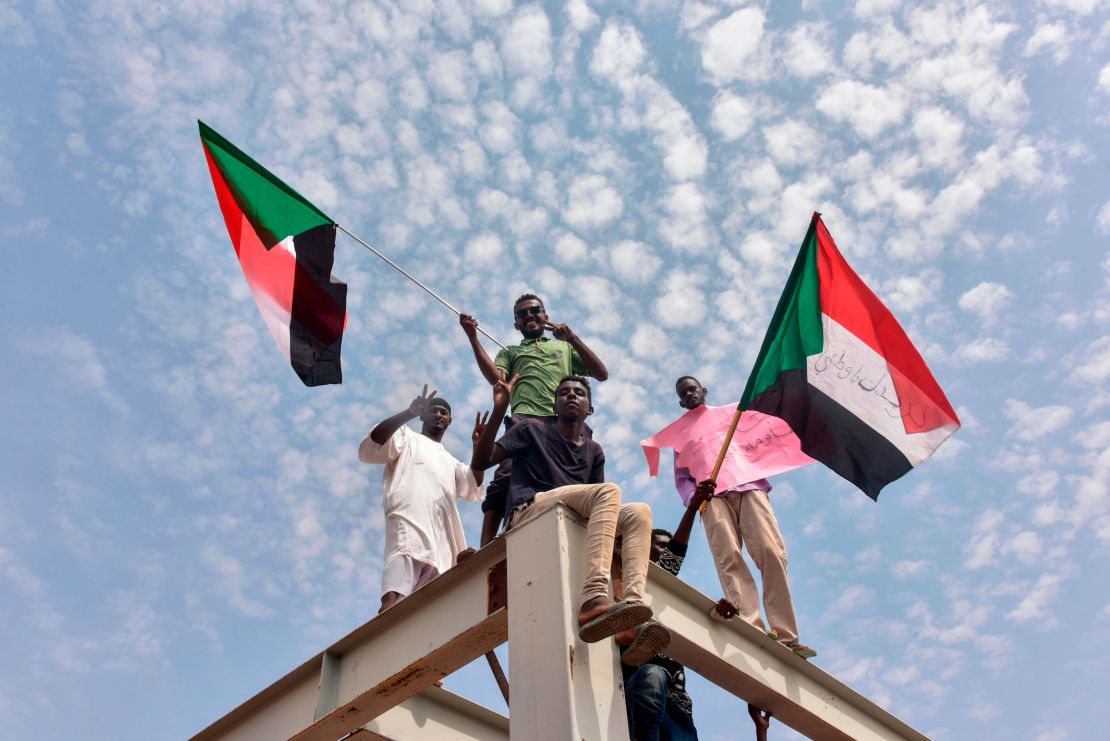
(847, 300)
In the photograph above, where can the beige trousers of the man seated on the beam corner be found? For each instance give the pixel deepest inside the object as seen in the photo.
(601, 505)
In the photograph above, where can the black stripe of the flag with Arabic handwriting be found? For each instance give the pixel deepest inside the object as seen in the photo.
(832, 434)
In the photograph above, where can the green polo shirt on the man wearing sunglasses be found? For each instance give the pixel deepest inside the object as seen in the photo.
(541, 363)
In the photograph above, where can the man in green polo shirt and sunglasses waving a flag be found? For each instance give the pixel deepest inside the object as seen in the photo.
(540, 362)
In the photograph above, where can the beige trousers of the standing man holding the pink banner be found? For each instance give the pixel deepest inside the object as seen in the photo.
(732, 521)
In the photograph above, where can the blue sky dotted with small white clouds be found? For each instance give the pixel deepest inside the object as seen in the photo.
(183, 522)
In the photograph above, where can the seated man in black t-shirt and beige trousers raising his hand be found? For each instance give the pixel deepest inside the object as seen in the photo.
(554, 462)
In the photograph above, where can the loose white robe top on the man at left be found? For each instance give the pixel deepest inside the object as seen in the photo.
(421, 484)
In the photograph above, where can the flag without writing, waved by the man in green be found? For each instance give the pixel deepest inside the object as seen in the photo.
(287, 248)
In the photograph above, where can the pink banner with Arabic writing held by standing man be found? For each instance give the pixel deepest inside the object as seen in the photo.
(763, 445)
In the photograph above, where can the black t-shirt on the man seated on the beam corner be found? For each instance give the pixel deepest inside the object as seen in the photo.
(543, 461)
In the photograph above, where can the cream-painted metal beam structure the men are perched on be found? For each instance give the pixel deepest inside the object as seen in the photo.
(523, 588)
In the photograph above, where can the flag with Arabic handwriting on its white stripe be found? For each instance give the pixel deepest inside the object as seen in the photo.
(840, 370)
